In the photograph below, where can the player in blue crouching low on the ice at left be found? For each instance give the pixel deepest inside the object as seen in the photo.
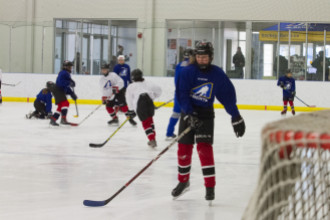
(43, 104)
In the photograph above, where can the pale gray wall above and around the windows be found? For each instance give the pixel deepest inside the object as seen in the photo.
(29, 23)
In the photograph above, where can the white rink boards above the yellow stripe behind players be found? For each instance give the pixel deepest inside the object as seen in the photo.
(249, 92)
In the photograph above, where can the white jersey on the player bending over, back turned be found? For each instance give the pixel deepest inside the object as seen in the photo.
(134, 90)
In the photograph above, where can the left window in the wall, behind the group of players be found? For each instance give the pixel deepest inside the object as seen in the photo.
(91, 43)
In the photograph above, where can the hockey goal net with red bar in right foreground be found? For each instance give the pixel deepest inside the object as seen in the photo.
(294, 178)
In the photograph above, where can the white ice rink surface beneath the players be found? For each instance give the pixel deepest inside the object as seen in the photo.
(47, 172)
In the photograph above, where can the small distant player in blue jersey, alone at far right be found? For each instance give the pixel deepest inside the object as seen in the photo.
(288, 84)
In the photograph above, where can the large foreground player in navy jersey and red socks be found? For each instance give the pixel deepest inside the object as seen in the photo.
(196, 88)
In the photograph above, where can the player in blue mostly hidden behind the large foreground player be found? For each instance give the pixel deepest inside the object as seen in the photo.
(188, 59)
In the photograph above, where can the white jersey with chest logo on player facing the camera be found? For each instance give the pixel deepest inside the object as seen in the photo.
(108, 82)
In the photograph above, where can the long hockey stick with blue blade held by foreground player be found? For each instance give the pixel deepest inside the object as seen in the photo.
(92, 203)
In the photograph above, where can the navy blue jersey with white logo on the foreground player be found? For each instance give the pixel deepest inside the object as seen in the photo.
(196, 88)
